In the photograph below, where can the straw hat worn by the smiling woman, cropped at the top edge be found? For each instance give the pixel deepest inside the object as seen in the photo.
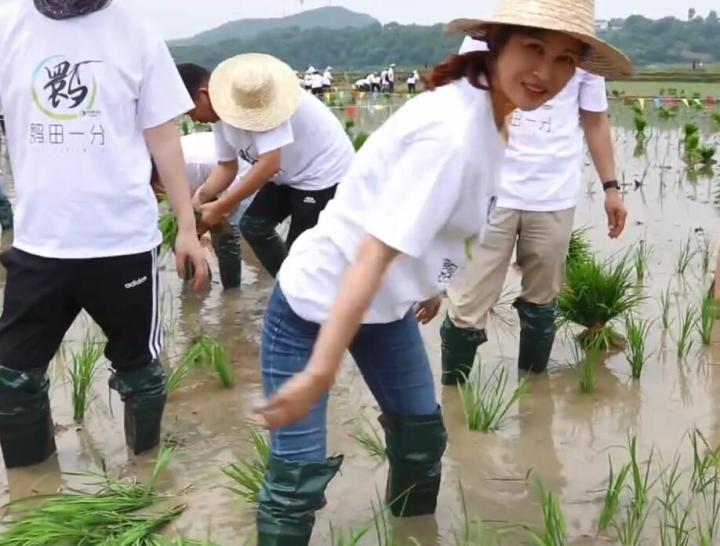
(575, 18)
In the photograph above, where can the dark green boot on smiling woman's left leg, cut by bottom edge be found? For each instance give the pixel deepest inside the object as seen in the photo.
(289, 498)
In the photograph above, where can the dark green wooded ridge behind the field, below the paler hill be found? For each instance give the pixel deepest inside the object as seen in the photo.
(648, 42)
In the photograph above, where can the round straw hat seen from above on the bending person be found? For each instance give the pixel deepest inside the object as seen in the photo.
(254, 92)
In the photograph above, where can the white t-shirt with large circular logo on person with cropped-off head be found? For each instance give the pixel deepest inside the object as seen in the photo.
(76, 103)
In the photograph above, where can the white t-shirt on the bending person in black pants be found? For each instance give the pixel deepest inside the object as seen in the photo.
(316, 151)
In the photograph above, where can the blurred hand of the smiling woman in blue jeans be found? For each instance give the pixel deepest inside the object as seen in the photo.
(295, 399)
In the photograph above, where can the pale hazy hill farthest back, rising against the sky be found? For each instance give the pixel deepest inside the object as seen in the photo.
(247, 29)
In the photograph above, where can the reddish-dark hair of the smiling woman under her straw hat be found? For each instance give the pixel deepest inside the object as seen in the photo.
(475, 64)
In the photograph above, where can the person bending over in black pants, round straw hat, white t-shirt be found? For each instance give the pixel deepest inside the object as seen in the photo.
(298, 149)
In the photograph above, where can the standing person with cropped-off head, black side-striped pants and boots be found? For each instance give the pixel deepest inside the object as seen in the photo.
(86, 233)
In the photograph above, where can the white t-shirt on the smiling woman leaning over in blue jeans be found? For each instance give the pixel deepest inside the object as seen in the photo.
(423, 184)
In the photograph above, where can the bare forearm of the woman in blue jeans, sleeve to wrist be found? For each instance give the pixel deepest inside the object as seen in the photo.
(357, 290)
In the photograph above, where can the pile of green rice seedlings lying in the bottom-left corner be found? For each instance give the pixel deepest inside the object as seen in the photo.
(115, 515)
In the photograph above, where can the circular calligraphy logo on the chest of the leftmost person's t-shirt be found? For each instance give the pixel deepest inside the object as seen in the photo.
(64, 90)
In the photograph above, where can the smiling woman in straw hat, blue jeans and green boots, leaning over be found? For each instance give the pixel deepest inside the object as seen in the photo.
(418, 194)
